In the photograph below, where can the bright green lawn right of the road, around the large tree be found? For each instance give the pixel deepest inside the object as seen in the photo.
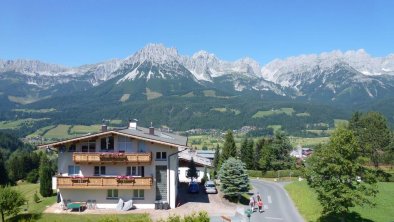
(306, 201)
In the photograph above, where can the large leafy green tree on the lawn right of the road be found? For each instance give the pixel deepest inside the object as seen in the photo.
(334, 172)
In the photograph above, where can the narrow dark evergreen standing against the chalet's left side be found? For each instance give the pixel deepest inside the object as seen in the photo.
(45, 177)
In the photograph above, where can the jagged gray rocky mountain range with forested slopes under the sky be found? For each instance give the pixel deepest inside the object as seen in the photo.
(349, 80)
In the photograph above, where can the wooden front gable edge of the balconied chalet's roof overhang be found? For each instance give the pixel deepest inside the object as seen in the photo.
(111, 132)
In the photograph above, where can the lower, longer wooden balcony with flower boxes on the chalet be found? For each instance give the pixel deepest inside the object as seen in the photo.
(104, 183)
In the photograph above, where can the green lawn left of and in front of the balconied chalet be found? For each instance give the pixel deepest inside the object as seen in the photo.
(33, 211)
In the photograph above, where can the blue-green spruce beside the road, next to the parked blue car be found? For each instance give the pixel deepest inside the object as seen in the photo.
(234, 179)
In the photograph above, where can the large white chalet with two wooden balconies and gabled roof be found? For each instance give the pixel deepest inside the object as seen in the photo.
(135, 163)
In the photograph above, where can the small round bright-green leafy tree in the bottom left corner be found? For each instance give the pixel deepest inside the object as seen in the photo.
(10, 202)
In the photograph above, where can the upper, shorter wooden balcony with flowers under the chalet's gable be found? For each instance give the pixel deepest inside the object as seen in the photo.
(112, 158)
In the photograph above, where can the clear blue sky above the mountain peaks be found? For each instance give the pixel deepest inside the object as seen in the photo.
(76, 32)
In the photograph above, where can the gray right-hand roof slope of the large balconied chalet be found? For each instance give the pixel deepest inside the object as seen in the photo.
(158, 135)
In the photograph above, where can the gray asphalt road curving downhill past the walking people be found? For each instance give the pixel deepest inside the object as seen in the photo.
(277, 204)
